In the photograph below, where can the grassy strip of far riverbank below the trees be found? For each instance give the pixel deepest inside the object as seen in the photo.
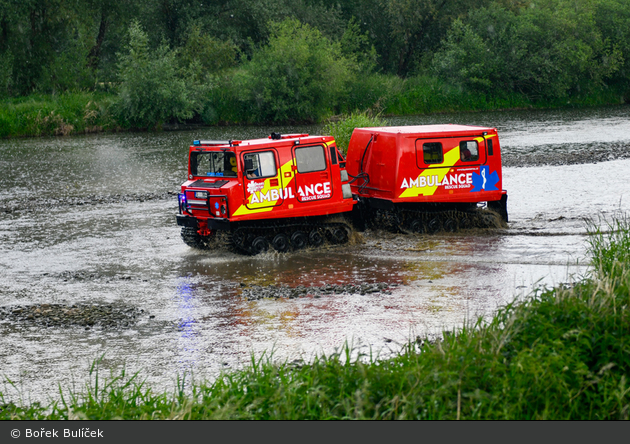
(92, 112)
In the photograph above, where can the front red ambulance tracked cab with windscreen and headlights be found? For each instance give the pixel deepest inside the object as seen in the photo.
(287, 191)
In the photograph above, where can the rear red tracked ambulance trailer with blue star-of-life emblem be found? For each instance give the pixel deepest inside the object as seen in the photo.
(427, 178)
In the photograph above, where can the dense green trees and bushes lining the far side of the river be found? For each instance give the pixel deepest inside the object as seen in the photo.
(242, 61)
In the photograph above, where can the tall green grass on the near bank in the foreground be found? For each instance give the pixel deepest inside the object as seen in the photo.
(562, 354)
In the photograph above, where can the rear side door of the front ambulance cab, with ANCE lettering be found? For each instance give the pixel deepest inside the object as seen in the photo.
(313, 178)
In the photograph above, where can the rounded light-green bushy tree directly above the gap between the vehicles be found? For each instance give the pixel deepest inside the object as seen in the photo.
(299, 76)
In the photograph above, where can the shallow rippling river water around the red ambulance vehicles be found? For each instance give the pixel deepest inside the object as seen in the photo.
(90, 221)
